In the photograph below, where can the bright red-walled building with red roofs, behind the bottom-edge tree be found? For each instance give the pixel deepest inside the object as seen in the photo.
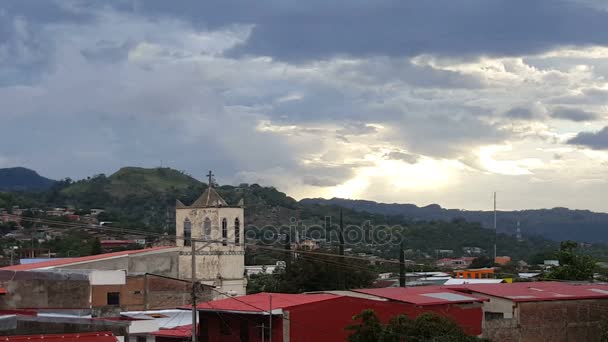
(323, 316)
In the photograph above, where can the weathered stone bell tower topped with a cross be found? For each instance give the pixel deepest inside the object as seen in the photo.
(218, 229)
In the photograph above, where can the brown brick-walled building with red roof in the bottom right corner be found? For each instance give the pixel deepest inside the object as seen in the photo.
(541, 311)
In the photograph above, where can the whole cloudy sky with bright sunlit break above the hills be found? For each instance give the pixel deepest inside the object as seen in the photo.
(420, 102)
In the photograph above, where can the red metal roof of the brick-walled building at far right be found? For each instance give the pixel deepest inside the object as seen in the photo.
(537, 291)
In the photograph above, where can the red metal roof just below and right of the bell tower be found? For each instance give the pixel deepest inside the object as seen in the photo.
(260, 302)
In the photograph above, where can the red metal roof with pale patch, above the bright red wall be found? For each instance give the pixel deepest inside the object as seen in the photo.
(422, 295)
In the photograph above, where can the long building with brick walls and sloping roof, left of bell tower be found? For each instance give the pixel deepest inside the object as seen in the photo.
(149, 281)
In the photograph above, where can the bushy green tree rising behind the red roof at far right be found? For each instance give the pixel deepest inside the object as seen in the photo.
(572, 266)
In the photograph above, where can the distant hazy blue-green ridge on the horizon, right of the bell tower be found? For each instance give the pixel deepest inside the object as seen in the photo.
(555, 224)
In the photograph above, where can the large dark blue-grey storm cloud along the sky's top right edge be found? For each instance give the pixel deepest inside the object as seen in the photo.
(303, 30)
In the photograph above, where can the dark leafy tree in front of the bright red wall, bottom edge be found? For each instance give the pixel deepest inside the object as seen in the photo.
(426, 327)
